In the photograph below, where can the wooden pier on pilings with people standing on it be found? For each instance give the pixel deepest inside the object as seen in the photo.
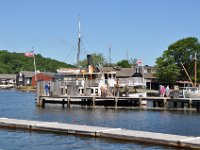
(164, 103)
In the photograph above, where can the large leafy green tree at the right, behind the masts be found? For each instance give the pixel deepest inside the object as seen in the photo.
(181, 52)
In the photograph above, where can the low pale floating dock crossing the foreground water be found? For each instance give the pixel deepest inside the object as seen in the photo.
(103, 132)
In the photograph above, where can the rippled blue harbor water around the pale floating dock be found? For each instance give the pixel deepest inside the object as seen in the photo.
(21, 105)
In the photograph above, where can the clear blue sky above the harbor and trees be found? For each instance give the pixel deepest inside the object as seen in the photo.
(133, 29)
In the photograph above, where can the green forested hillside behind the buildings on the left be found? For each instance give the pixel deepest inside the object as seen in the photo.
(15, 62)
